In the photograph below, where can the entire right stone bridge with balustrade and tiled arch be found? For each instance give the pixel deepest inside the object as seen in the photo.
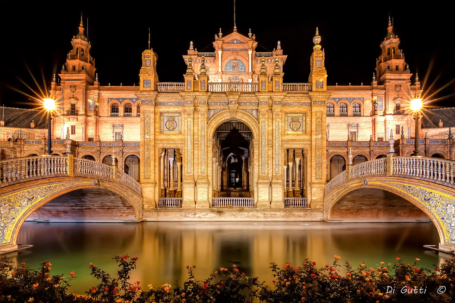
(428, 183)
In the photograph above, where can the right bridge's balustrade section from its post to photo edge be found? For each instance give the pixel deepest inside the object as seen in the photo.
(430, 169)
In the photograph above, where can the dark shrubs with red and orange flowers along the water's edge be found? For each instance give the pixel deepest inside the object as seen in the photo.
(397, 282)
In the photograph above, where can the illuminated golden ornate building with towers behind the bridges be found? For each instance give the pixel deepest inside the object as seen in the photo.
(232, 128)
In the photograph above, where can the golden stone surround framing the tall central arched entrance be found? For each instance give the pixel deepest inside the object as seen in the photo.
(252, 124)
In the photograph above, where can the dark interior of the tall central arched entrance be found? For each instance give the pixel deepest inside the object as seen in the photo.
(232, 158)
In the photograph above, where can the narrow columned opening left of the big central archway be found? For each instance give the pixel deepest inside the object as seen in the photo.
(171, 173)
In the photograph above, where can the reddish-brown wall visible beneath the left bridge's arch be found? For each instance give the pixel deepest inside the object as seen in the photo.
(85, 205)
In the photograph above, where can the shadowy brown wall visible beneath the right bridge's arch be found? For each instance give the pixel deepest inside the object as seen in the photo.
(370, 204)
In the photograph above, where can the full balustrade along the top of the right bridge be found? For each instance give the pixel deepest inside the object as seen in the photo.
(429, 169)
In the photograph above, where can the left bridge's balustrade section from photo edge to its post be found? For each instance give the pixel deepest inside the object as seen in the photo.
(18, 170)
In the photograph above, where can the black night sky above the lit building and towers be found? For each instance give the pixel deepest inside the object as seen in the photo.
(36, 35)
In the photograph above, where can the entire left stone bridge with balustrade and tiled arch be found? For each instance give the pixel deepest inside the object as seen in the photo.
(28, 183)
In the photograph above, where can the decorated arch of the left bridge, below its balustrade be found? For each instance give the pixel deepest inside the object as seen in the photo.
(21, 200)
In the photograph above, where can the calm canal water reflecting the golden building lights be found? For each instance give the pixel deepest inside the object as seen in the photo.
(165, 249)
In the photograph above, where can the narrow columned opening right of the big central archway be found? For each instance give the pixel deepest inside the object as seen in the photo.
(294, 173)
